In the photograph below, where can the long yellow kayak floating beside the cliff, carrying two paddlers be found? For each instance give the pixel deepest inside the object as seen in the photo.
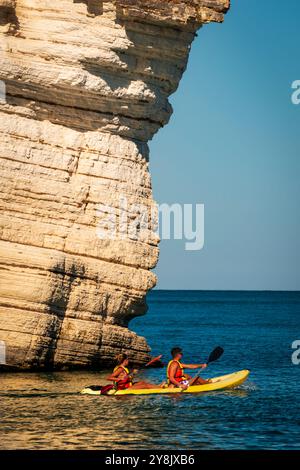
(217, 383)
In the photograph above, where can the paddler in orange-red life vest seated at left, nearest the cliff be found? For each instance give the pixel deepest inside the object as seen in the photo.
(122, 378)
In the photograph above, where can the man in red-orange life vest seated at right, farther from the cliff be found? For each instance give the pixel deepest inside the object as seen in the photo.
(175, 371)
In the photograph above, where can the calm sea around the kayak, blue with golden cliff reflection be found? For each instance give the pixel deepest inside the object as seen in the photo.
(259, 331)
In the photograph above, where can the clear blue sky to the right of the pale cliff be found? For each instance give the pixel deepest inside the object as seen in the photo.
(233, 144)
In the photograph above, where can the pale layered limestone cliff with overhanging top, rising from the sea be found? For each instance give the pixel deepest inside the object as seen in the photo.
(87, 85)
